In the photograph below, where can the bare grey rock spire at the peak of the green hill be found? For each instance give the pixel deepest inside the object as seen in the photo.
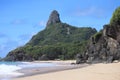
(53, 18)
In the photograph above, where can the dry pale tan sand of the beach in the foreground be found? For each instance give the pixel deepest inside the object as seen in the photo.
(100, 71)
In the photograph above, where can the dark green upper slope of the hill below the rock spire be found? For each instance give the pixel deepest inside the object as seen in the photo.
(62, 33)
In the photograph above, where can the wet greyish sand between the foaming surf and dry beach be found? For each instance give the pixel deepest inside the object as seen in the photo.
(60, 66)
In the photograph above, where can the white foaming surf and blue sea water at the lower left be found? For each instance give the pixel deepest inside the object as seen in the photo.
(9, 70)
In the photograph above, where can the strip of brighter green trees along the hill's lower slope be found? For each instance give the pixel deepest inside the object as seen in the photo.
(56, 51)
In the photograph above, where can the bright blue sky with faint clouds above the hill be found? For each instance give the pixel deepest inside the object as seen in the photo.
(21, 19)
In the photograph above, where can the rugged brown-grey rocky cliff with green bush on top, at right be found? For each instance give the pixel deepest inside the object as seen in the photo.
(104, 46)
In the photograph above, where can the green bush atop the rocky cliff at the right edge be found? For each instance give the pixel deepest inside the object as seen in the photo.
(116, 17)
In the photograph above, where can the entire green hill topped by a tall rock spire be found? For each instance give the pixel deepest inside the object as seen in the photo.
(57, 41)
